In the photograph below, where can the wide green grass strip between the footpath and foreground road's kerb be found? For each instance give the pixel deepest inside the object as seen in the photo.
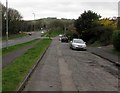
(14, 73)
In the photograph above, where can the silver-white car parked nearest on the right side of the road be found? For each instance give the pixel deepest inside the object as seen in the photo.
(78, 44)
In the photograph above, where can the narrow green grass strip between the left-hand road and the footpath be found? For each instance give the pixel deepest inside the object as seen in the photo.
(15, 47)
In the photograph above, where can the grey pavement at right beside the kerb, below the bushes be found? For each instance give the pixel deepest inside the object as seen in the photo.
(105, 53)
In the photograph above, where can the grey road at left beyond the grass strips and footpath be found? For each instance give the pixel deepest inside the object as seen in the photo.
(24, 39)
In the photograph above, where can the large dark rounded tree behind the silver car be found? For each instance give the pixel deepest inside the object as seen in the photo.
(85, 23)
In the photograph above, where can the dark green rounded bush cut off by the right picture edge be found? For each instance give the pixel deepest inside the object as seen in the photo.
(116, 40)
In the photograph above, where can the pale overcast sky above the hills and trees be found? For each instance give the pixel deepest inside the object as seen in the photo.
(70, 9)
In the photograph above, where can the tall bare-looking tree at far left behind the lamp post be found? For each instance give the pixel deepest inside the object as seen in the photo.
(14, 18)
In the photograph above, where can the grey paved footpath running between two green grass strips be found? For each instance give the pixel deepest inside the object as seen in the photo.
(7, 59)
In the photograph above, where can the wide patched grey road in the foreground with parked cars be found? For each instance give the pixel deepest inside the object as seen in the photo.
(63, 69)
